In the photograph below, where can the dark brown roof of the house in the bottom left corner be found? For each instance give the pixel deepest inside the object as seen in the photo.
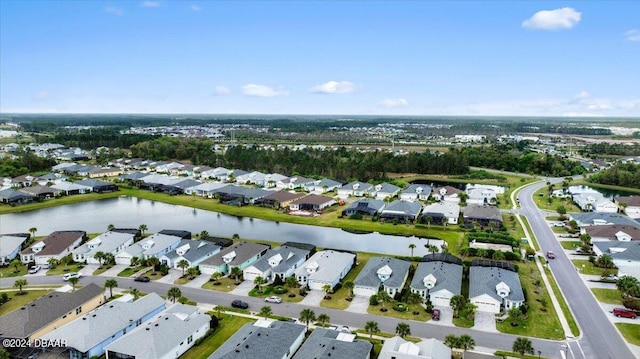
(26, 320)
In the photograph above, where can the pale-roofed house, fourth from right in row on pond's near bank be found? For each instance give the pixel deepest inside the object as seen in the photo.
(325, 267)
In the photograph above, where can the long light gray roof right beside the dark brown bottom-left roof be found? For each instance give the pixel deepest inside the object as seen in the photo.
(98, 325)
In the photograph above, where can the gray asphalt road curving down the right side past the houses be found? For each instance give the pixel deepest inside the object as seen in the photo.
(599, 337)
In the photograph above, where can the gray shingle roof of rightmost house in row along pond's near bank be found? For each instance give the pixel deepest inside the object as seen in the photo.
(483, 280)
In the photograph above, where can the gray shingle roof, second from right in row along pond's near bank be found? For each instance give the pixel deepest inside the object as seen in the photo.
(448, 276)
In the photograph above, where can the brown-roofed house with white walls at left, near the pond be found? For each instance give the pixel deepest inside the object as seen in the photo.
(56, 245)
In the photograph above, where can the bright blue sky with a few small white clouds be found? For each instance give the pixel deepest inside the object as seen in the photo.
(310, 57)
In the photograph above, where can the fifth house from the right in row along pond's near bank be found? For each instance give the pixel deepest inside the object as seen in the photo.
(279, 262)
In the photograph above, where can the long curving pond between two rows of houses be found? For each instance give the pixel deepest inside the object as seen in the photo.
(131, 212)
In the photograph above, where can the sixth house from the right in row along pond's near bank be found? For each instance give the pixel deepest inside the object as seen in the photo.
(241, 255)
